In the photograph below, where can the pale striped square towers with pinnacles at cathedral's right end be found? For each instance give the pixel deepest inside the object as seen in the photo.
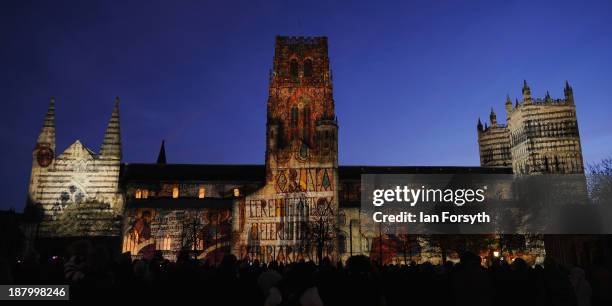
(541, 136)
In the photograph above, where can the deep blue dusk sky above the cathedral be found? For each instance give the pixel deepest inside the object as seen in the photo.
(410, 78)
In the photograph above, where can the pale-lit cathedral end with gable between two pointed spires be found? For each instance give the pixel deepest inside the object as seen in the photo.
(76, 192)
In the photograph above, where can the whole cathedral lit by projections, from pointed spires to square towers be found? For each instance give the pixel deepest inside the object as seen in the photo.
(299, 204)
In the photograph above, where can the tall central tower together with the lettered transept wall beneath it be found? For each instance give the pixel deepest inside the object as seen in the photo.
(294, 215)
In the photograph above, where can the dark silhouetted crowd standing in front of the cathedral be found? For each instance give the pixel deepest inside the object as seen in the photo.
(93, 274)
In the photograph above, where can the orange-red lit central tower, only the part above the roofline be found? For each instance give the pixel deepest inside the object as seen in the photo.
(301, 119)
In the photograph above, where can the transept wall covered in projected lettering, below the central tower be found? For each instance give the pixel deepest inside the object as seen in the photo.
(287, 227)
